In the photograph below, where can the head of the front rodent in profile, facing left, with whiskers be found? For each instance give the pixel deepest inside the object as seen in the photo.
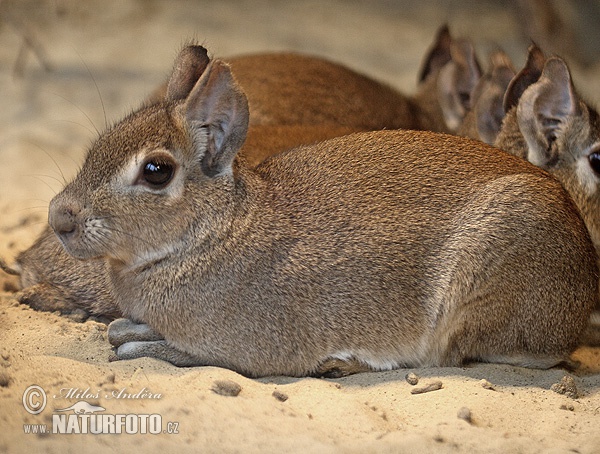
(161, 174)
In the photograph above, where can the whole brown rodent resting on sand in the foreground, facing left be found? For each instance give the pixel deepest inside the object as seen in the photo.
(390, 248)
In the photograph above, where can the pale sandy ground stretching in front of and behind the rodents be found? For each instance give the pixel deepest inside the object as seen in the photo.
(105, 57)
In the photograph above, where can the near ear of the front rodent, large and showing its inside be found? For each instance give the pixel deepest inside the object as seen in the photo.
(218, 105)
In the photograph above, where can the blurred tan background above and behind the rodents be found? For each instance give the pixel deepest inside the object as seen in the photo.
(68, 68)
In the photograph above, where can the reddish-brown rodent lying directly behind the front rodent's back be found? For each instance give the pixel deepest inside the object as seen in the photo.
(294, 89)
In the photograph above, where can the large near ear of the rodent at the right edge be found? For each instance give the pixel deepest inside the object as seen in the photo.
(543, 112)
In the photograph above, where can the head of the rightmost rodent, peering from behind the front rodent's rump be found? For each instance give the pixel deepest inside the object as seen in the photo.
(549, 124)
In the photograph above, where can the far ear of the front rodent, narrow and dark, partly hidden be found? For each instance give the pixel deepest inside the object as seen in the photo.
(189, 66)
